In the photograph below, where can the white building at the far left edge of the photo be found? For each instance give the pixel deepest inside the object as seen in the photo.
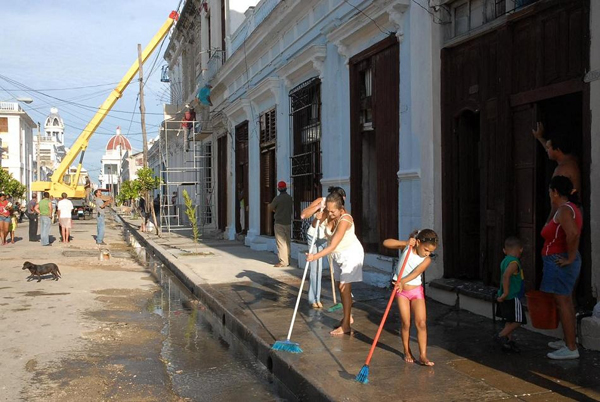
(16, 147)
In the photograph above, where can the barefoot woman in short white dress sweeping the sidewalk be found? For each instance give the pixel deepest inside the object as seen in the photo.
(347, 255)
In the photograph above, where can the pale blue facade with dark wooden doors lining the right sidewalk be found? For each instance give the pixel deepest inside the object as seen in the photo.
(356, 94)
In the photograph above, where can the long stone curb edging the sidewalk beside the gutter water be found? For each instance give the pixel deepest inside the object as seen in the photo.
(283, 370)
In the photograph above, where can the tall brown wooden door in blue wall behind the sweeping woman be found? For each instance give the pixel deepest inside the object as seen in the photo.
(375, 143)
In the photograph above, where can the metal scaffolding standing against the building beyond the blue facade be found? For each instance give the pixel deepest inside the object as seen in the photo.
(186, 164)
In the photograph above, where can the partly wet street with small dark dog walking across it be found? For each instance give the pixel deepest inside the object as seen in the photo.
(116, 329)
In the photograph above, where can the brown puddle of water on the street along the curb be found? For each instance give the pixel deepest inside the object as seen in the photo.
(205, 361)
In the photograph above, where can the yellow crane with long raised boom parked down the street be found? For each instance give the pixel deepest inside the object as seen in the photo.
(62, 181)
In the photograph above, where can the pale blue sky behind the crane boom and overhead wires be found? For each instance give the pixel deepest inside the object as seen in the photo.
(70, 54)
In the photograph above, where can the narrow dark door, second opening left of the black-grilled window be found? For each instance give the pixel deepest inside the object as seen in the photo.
(241, 177)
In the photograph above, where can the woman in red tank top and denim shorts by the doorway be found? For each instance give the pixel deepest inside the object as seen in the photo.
(562, 261)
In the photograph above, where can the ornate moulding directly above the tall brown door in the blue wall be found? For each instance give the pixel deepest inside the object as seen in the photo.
(348, 37)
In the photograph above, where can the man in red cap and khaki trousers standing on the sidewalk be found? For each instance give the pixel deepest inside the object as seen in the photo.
(282, 207)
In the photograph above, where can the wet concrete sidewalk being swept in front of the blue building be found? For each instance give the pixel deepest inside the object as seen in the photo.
(255, 301)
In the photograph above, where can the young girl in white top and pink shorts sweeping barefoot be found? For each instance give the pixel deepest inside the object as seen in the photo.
(409, 289)
